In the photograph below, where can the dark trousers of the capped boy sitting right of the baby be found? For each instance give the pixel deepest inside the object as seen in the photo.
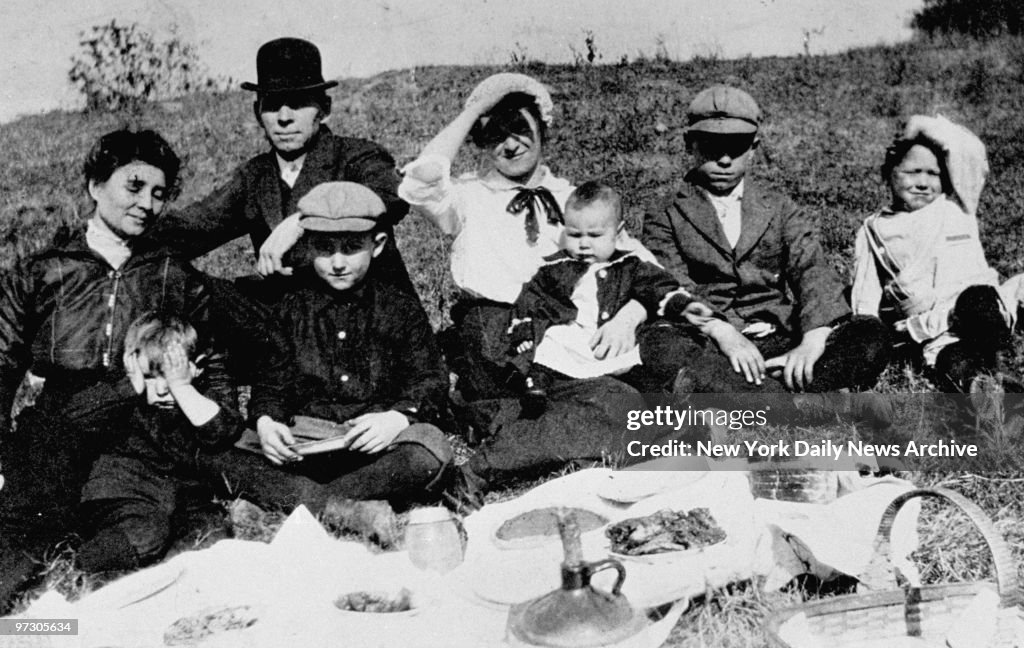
(857, 354)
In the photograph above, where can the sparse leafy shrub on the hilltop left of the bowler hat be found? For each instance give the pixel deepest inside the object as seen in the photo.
(123, 66)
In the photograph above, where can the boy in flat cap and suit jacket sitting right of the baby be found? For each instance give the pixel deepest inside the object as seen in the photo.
(754, 256)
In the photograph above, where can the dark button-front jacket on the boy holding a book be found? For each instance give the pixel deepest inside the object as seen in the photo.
(337, 355)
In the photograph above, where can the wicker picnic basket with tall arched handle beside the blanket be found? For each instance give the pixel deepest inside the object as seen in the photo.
(926, 613)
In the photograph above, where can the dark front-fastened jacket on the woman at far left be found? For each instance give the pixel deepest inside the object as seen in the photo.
(64, 315)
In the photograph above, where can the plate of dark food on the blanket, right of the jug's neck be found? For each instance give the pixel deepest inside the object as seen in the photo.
(665, 532)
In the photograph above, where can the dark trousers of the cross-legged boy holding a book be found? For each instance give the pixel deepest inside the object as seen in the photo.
(403, 472)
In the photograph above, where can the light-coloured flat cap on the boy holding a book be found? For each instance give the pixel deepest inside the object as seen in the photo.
(340, 207)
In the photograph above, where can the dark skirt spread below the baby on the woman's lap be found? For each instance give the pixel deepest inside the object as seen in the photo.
(585, 421)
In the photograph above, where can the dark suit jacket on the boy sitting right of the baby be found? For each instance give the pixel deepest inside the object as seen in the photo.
(778, 274)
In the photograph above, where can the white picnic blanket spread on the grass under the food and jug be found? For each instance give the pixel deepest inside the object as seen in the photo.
(290, 585)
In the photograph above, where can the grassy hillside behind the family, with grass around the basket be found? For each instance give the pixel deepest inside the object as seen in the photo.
(828, 122)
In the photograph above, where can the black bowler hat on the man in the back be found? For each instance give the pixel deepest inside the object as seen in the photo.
(288, 65)
